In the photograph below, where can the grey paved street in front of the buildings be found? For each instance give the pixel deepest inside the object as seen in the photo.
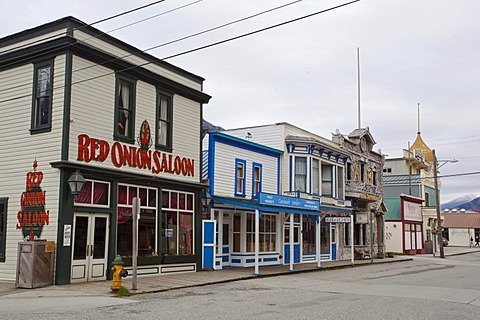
(425, 288)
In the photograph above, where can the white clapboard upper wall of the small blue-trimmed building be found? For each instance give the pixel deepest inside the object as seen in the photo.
(224, 170)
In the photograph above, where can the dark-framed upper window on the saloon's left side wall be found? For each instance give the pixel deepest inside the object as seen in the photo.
(42, 98)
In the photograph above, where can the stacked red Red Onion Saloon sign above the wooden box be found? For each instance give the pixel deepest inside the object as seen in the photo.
(33, 216)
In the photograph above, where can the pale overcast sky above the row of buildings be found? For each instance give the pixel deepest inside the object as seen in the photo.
(305, 72)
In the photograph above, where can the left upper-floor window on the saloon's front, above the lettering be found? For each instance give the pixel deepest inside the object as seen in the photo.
(125, 110)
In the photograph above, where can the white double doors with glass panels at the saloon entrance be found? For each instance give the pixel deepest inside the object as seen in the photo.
(90, 247)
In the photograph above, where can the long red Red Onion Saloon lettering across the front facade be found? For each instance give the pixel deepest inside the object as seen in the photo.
(91, 149)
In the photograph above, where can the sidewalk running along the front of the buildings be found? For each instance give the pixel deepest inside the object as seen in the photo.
(165, 282)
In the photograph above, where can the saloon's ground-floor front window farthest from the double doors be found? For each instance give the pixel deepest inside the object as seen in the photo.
(177, 223)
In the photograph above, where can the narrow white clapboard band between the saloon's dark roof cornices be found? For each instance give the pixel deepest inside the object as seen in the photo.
(135, 59)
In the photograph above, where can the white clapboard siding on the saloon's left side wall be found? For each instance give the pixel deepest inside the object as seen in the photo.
(20, 149)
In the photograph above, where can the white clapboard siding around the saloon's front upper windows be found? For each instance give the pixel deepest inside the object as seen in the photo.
(93, 112)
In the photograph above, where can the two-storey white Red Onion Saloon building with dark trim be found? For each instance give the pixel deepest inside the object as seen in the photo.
(88, 124)
